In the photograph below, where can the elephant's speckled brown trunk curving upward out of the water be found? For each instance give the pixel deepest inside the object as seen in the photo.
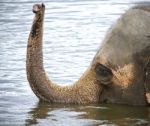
(85, 90)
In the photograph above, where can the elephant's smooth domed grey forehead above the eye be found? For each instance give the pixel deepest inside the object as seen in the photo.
(130, 36)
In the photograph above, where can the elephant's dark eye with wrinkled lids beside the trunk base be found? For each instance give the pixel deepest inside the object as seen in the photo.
(104, 74)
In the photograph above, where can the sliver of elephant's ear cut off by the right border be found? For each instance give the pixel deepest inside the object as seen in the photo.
(147, 80)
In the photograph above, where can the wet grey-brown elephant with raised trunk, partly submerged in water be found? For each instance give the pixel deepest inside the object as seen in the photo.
(119, 72)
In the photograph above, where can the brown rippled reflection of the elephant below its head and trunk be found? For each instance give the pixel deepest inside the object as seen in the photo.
(92, 115)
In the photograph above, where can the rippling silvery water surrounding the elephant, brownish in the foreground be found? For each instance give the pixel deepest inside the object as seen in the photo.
(74, 30)
